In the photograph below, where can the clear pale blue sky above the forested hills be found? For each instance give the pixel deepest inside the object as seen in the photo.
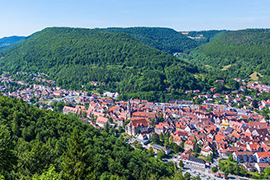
(24, 17)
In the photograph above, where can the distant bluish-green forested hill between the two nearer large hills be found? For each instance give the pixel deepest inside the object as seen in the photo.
(164, 39)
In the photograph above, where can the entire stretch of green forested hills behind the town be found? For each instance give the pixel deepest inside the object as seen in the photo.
(137, 62)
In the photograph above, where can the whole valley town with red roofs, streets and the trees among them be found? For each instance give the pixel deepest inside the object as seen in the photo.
(200, 135)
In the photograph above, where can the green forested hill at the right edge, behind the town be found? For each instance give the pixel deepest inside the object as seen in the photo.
(238, 53)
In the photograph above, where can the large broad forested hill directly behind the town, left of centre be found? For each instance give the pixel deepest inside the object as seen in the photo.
(74, 57)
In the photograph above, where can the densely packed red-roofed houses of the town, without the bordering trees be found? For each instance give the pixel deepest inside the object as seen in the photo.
(220, 129)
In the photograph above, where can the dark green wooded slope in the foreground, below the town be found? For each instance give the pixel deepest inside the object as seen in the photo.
(37, 144)
